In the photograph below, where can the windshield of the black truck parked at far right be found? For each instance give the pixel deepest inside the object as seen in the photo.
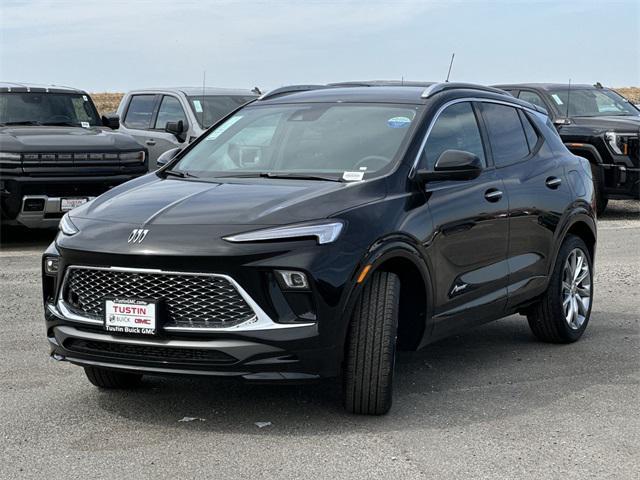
(594, 102)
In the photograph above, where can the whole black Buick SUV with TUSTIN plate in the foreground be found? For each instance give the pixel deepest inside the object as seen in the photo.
(312, 232)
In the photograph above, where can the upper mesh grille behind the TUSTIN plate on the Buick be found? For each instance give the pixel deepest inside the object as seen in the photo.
(189, 301)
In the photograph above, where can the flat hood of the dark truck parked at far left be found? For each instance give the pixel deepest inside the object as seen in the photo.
(68, 139)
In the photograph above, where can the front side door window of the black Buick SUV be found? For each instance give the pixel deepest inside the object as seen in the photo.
(455, 129)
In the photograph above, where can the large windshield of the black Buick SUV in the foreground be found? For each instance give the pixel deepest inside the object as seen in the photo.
(335, 141)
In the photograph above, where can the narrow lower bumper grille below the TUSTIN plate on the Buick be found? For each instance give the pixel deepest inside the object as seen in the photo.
(147, 352)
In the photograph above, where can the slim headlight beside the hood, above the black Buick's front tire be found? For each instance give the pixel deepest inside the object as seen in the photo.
(325, 232)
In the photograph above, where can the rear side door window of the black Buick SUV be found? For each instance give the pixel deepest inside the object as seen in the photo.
(508, 141)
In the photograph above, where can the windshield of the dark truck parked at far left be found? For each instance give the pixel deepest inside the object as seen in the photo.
(74, 109)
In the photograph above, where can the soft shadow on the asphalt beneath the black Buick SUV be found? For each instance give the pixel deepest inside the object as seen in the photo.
(495, 371)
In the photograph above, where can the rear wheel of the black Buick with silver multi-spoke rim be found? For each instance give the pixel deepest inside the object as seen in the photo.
(562, 314)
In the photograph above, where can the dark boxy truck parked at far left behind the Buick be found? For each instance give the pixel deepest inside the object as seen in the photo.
(56, 153)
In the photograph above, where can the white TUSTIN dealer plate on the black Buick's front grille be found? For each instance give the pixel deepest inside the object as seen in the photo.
(130, 316)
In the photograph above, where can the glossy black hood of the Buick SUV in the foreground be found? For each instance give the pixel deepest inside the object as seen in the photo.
(151, 200)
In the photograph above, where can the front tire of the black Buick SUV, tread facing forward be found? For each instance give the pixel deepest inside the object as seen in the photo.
(371, 347)
